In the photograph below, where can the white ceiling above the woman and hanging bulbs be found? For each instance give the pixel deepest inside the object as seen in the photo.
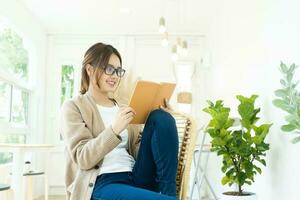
(104, 16)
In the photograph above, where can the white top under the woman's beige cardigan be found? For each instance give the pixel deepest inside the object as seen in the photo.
(118, 160)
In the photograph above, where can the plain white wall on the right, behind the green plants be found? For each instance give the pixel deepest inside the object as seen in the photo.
(248, 39)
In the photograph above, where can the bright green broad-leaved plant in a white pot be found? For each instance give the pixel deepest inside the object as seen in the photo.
(242, 148)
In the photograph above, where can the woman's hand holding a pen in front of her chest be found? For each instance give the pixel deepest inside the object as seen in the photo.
(123, 118)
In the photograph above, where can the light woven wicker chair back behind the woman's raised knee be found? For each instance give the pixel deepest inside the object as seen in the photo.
(186, 127)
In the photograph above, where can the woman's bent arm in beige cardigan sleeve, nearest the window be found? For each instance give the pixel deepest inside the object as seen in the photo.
(85, 150)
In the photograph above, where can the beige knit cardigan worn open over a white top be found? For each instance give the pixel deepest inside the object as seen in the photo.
(87, 141)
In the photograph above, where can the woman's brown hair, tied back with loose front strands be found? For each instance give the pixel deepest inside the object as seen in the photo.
(98, 56)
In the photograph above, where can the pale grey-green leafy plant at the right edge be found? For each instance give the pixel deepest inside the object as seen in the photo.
(289, 100)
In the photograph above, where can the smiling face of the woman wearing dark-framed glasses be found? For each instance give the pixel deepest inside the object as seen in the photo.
(109, 83)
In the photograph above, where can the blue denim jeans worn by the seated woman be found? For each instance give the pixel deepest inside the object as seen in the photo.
(154, 174)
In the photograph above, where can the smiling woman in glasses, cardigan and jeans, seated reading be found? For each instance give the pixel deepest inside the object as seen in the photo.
(101, 146)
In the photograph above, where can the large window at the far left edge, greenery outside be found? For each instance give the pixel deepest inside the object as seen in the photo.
(14, 92)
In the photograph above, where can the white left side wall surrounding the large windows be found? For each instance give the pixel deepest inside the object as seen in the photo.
(34, 37)
